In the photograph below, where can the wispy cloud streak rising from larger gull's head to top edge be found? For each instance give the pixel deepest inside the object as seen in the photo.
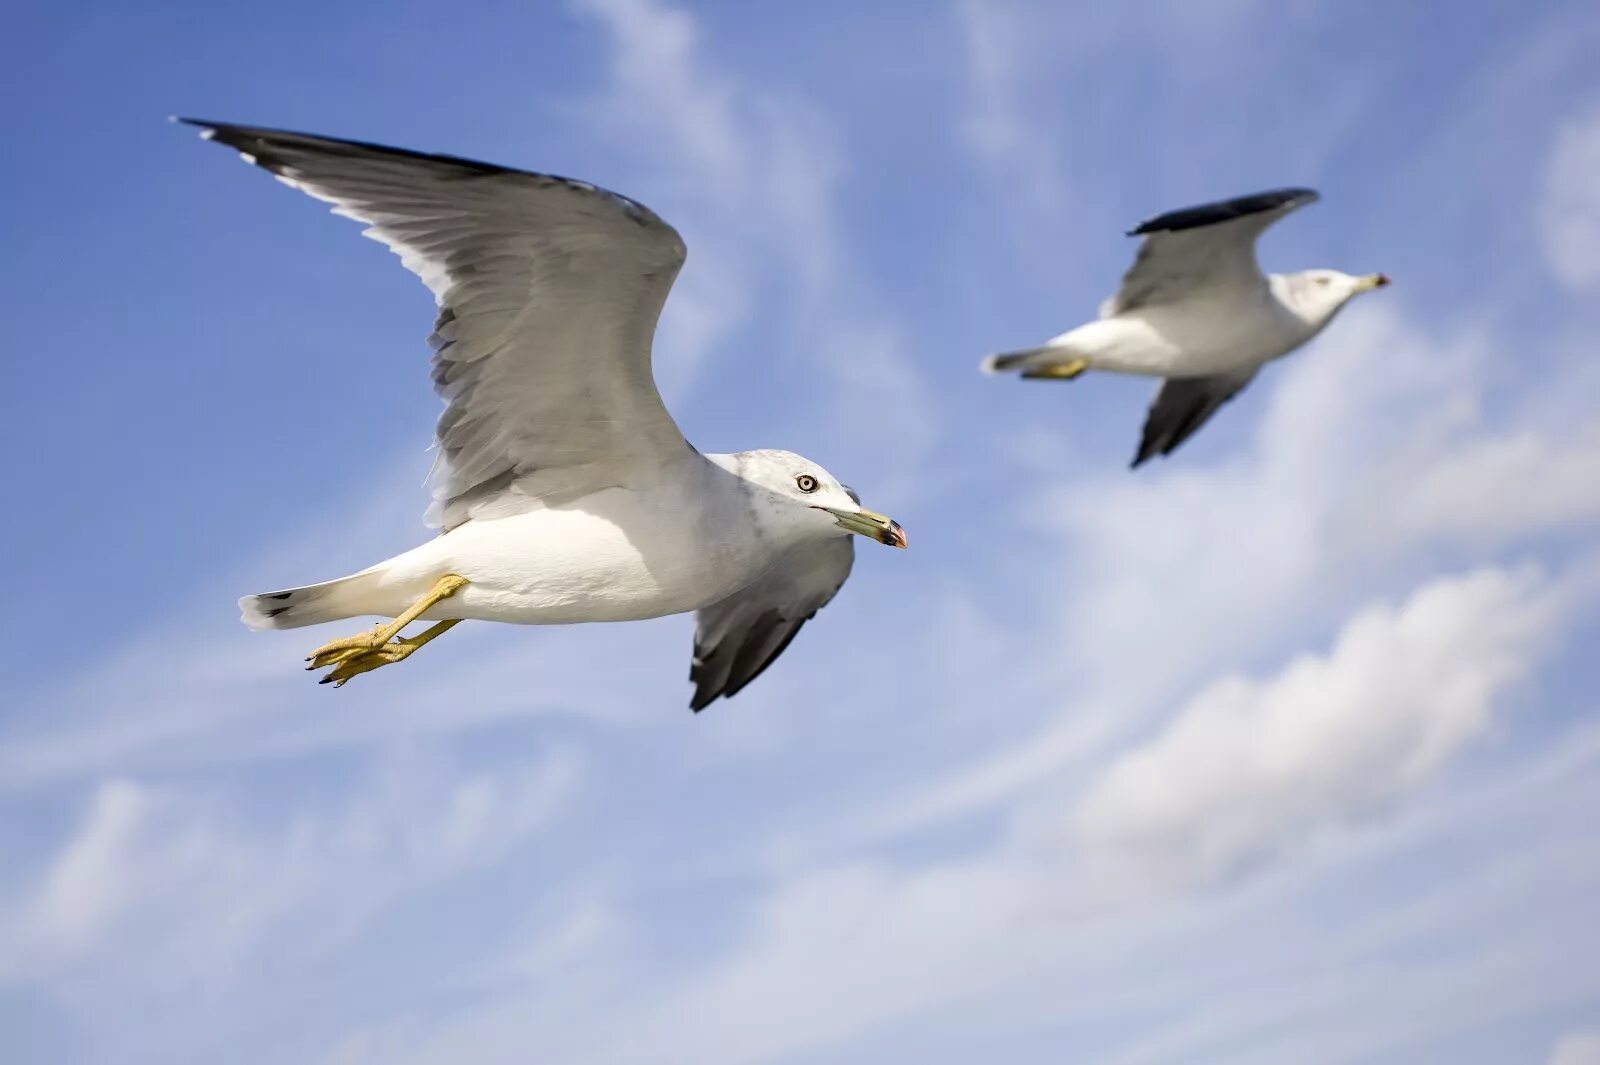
(758, 178)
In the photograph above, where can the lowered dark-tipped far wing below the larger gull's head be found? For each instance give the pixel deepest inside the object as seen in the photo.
(740, 637)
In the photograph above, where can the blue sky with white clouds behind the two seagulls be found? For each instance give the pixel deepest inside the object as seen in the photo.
(1284, 749)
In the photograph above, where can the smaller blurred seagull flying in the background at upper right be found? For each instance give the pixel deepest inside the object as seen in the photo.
(1198, 313)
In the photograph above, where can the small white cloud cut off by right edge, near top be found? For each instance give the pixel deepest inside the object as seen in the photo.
(1570, 213)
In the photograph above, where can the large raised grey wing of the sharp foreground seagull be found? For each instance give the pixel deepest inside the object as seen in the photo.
(548, 297)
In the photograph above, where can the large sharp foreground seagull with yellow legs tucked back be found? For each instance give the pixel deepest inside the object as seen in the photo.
(566, 490)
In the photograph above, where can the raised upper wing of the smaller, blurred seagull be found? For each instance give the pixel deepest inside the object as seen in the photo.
(1202, 249)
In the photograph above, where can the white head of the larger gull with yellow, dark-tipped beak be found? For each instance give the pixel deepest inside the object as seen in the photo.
(799, 497)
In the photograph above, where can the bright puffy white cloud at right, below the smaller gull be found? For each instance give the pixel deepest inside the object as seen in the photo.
(1252, 767)
